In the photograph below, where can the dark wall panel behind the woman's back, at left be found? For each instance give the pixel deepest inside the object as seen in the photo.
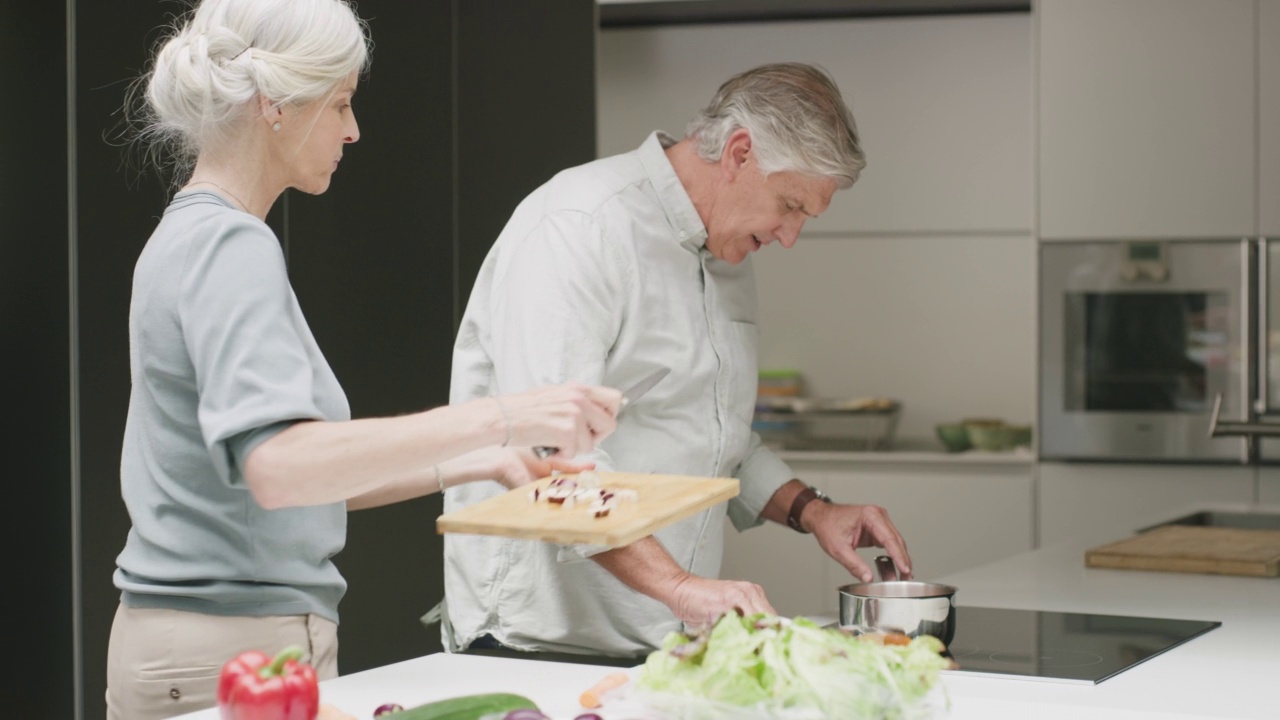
(117, 209)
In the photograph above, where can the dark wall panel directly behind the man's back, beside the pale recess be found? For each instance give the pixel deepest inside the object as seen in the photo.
(527, 111)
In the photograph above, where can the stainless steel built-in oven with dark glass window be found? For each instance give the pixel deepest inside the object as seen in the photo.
(1137, 339)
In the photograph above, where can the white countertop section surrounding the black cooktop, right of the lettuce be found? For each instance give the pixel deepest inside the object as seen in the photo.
(1231, 672)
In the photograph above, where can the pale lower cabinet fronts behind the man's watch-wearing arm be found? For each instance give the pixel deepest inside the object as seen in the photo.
(953, 517)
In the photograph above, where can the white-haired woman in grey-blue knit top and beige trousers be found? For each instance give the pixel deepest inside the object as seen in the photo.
(240, 457)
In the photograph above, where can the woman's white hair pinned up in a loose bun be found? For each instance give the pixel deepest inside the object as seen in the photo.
(222, 56)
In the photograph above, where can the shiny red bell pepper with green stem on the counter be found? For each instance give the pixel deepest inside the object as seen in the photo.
(254, 686)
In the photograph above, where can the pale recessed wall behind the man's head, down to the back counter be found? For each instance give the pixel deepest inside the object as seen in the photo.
(920, 282)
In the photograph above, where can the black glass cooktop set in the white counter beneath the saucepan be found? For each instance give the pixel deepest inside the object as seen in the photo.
(1062, 646)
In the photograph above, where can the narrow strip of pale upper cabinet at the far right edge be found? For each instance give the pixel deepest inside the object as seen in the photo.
(1269, 115)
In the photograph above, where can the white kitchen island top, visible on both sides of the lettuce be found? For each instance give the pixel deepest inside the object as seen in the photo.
(1232, 672)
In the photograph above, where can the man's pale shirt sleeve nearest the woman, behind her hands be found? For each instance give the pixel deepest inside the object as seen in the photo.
(557, 313)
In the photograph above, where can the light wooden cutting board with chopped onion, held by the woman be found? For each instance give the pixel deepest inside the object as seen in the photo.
(661, 500)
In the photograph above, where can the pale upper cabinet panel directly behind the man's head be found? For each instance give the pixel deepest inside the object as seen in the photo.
(943, 104)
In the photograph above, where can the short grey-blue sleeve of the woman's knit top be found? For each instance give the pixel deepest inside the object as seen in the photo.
(246, 343)
